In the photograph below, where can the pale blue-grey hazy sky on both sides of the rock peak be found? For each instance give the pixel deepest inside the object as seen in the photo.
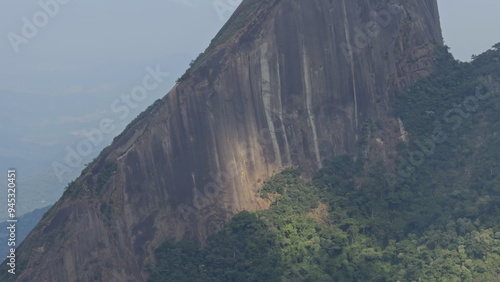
(63, 64)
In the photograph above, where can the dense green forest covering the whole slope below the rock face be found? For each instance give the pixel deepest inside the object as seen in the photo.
(437, 223)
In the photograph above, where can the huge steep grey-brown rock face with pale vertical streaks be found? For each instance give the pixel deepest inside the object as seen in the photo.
(285, 83)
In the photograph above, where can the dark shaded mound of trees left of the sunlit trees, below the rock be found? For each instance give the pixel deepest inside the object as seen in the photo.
(244, 250)
